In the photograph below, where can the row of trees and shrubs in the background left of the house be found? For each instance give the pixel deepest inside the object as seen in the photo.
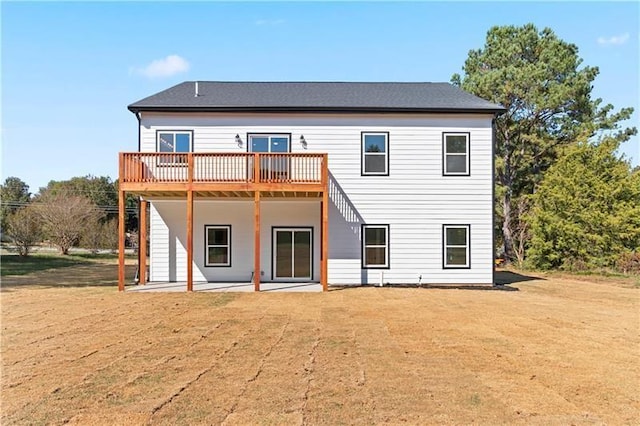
(79, 212)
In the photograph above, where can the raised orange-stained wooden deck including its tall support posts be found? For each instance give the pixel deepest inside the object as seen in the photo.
(191, 176)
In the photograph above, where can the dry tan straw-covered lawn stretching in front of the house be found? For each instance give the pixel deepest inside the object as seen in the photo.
(559, 351)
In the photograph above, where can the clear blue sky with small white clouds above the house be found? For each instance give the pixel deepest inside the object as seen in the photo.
(69, 70)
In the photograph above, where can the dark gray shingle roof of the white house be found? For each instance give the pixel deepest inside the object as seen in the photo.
(314, 96)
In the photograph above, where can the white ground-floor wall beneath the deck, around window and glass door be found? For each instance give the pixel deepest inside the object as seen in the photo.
(168, 237)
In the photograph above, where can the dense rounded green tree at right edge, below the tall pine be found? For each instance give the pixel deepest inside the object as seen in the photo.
(586, 212)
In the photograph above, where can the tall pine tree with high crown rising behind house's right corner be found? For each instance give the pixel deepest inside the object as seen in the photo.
(541, 82)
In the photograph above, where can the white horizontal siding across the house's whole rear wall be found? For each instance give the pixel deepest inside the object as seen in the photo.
(416, 200)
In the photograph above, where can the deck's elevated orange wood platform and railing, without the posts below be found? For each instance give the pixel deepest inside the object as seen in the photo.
(154, 174)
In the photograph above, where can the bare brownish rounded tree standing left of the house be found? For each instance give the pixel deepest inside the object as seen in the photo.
(65, 217)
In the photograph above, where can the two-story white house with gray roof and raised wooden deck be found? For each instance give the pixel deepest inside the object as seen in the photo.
(337, 183)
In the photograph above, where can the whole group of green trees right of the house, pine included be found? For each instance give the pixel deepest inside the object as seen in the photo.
(564, 197)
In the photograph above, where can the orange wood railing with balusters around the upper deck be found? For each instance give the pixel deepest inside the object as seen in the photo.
(286, 168)
